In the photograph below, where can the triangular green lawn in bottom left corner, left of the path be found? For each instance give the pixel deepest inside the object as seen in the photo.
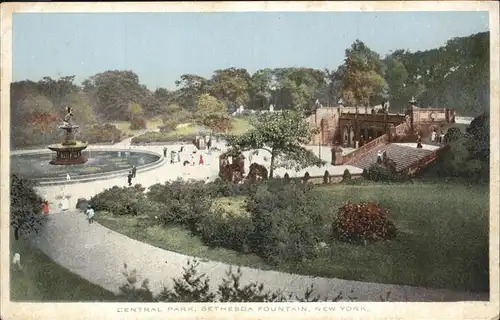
(41, 279)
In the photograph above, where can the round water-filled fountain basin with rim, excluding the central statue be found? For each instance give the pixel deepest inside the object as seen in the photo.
(101, 164)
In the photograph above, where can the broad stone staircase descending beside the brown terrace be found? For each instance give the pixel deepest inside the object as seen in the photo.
(403, 156)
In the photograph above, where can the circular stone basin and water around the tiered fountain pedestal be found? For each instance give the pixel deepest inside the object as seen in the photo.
(36, 166)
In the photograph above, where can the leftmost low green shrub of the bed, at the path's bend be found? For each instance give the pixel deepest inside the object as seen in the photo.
(120, 200)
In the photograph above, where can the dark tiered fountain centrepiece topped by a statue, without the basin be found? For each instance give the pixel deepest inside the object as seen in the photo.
(69, 151)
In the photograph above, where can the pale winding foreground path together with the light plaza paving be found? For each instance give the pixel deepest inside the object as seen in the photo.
(98, 254)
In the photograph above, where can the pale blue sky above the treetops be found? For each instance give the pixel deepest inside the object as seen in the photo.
(159, 47)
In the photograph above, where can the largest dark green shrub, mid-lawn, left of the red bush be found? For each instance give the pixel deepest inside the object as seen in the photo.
(285, 227)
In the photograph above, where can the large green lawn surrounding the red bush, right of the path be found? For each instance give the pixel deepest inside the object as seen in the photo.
(442, 240)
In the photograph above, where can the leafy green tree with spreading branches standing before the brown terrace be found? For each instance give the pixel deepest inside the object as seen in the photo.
(281, 134)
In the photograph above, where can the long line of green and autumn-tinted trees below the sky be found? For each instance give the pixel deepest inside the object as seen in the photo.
(455, 75)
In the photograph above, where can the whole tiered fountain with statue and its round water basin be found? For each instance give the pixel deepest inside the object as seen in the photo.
(74, 161)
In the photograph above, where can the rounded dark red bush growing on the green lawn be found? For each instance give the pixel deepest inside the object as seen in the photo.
(366, 221)
